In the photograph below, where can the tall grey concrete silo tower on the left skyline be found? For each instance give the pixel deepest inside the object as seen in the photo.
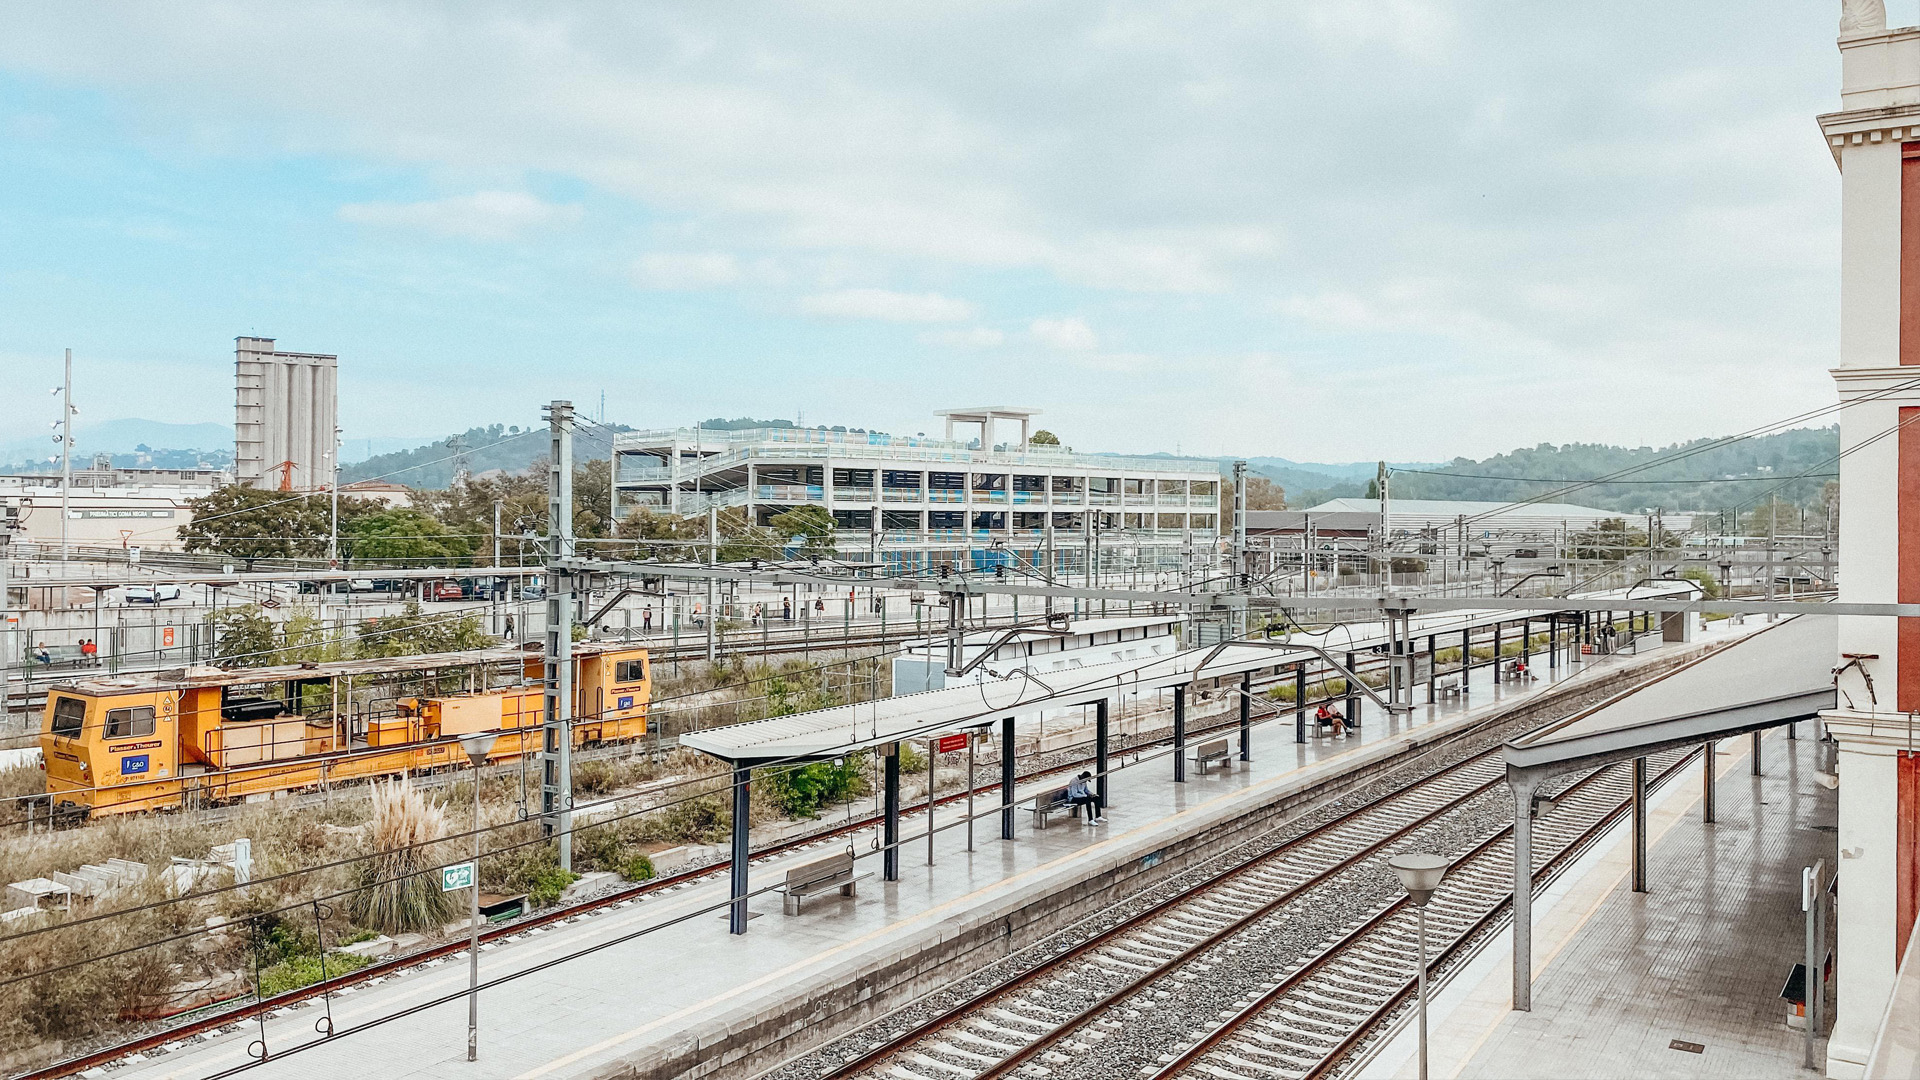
(287, 416)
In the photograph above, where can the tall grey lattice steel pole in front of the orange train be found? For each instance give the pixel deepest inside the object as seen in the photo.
(558, 731)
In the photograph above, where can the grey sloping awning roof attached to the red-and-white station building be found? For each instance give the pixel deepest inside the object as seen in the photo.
(1777, 675)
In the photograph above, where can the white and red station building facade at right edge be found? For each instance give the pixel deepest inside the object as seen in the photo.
(1875, 141)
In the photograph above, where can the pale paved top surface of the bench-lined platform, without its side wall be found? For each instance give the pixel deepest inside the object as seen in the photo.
(669, 964)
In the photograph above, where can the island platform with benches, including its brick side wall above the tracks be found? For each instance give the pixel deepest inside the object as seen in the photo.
(660, 987)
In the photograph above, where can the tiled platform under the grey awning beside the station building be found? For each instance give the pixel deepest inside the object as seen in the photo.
(1679, 981)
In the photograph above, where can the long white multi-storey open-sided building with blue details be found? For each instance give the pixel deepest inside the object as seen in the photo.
(917, 501)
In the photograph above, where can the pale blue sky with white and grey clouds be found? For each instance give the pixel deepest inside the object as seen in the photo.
(1318, 232)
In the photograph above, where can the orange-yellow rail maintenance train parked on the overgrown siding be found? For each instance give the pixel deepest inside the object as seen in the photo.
(204, 737)
